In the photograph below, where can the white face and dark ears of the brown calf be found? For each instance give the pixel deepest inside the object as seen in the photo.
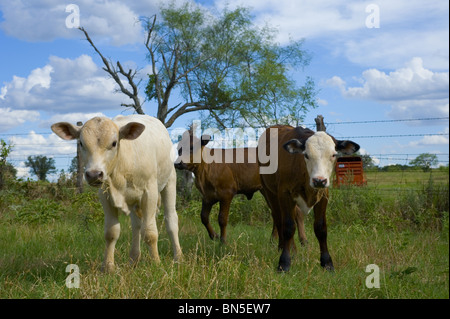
(320, 151)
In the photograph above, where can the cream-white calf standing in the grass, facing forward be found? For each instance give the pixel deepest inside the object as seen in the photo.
(129, 158)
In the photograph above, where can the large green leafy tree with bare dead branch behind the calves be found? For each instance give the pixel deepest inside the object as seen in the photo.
(221, 65)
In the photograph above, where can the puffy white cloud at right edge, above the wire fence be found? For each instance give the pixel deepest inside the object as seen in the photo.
(412, 91)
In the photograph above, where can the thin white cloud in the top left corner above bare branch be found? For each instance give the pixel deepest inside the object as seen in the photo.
(114, 21)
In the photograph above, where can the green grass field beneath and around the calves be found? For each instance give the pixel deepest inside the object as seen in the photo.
(45, 227)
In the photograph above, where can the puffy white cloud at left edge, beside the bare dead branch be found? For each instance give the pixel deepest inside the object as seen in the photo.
(64, 85)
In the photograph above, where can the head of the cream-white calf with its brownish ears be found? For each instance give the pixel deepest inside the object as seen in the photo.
(99, 141)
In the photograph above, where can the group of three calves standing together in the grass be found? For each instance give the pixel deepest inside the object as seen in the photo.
(129, 158)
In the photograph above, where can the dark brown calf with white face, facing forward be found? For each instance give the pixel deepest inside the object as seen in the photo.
(305, 160)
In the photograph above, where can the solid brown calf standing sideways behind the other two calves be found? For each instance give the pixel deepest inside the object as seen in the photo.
(233, 171)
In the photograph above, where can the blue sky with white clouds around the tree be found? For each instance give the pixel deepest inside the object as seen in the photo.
(390, 73)
